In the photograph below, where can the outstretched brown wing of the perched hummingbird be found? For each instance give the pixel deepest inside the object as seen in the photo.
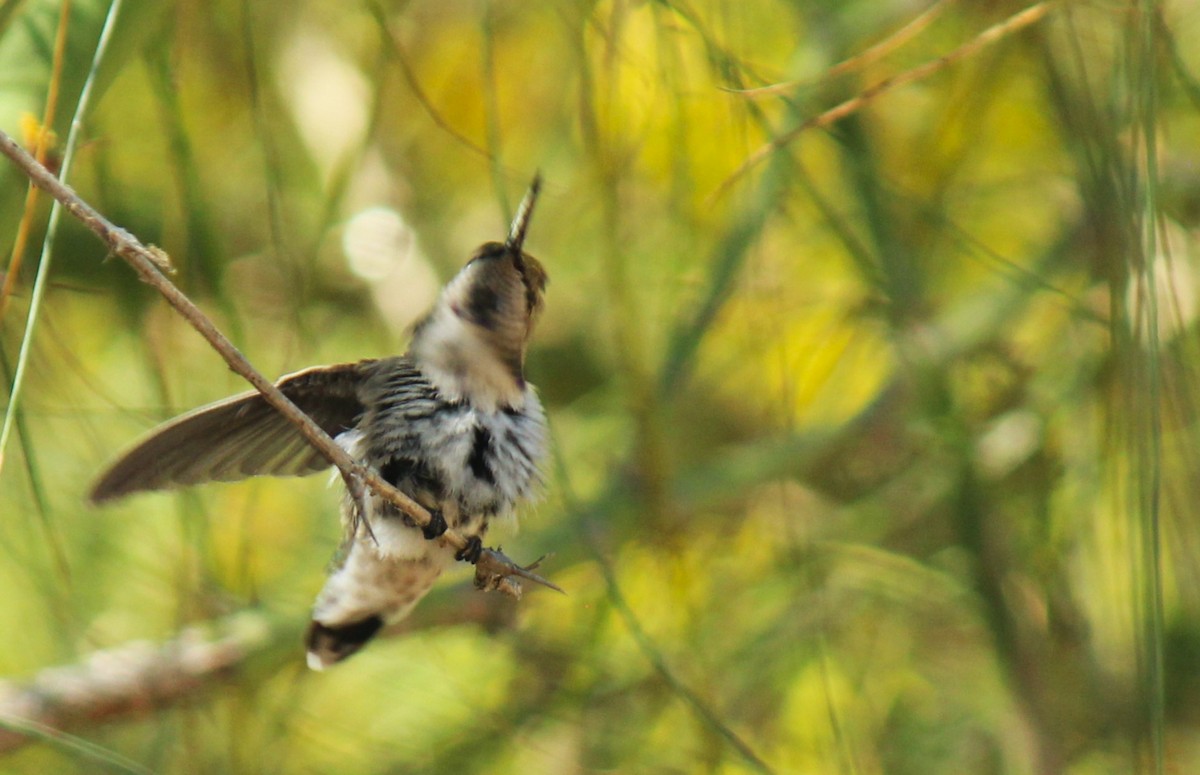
(241, 437)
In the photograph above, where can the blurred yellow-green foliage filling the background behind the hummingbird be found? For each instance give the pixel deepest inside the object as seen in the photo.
(879, 459)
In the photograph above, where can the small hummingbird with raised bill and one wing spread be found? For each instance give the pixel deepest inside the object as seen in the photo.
(453, 424)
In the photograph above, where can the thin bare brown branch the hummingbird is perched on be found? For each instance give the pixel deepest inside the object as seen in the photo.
(494, 570)
